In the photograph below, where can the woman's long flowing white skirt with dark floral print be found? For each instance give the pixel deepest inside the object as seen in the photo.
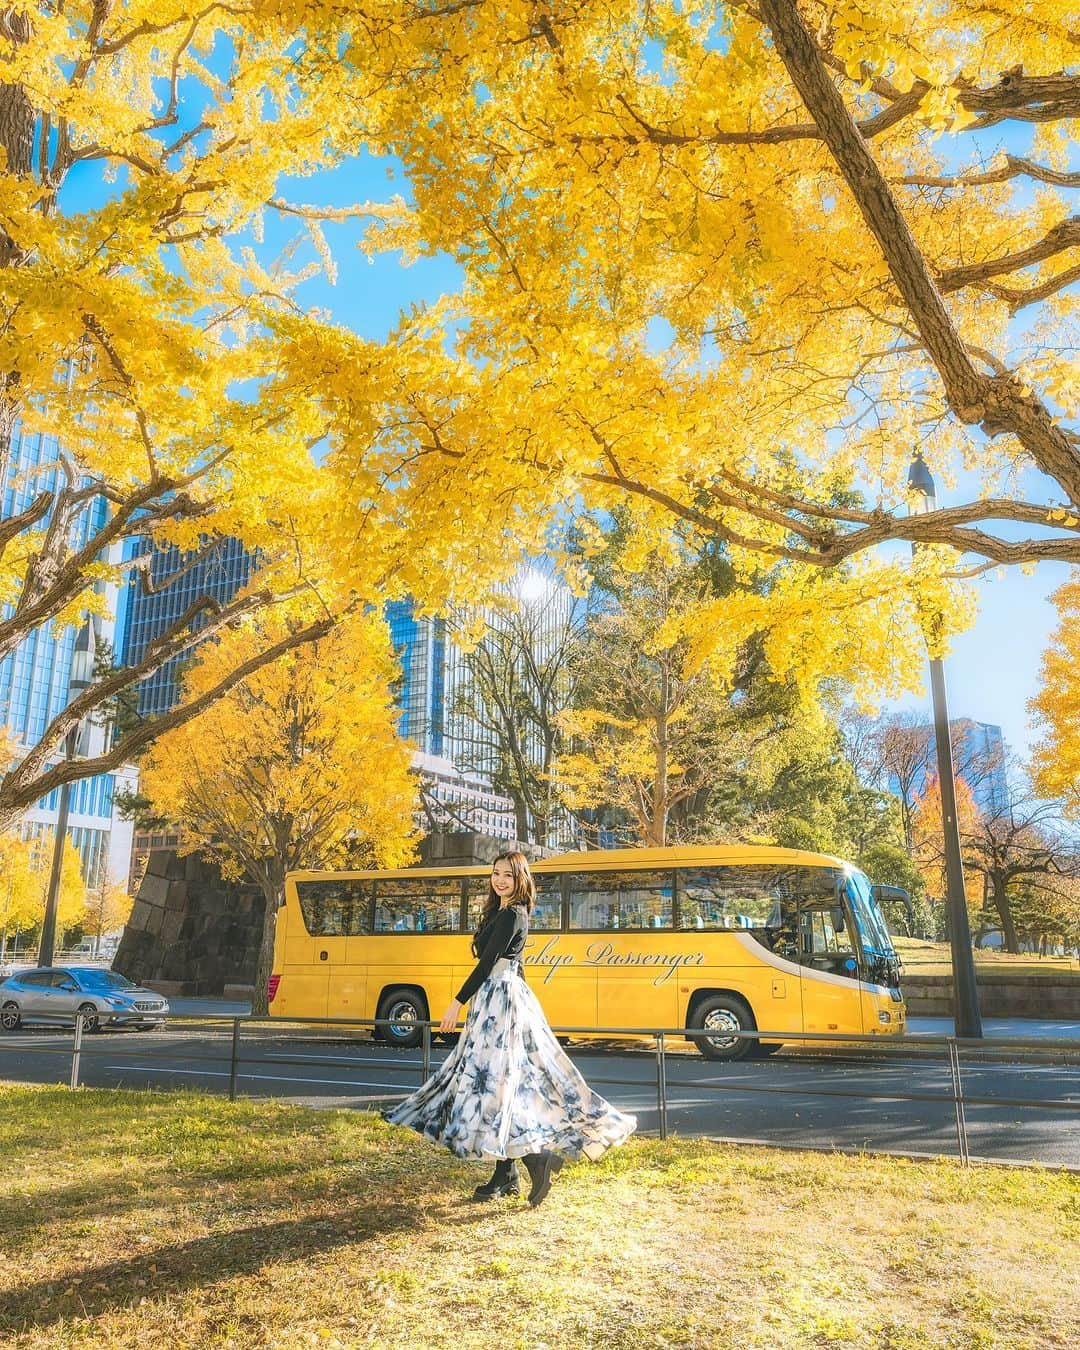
(508, 1089)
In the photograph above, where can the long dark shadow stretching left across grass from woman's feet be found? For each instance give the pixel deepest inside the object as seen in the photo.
(202, 1263)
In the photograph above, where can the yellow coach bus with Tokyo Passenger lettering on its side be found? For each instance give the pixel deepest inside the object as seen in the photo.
(716, 939)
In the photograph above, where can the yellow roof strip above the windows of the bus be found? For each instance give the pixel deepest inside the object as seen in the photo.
(612, 859)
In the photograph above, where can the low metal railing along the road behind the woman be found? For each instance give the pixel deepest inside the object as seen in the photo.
(873, 1048)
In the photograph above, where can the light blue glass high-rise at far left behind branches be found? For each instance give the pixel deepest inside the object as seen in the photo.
(34, 682)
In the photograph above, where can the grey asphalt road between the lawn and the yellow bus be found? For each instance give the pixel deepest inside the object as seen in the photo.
(793, 1100)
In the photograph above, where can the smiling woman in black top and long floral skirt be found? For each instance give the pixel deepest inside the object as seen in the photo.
(508, 1091)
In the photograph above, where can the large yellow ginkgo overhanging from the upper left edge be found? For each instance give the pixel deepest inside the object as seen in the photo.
(145, 146)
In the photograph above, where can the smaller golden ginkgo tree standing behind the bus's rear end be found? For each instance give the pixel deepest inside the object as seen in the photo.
(298, 767)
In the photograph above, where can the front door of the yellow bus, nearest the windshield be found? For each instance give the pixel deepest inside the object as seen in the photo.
(828, 952)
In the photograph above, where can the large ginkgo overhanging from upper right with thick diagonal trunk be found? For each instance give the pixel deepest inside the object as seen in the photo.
(739, 261)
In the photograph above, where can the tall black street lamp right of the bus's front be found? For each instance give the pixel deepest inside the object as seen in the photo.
(966, 994)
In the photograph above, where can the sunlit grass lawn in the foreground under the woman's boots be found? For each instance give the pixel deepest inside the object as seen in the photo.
(171, 1221)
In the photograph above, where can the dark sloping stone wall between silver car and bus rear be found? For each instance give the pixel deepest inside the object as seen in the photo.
(190, 931)
